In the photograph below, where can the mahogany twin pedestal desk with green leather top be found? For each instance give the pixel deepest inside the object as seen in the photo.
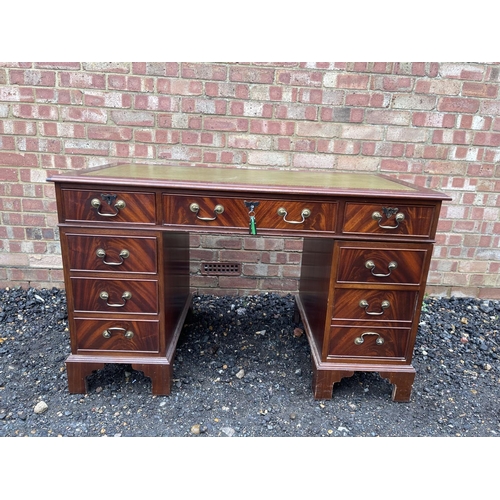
(124, 233)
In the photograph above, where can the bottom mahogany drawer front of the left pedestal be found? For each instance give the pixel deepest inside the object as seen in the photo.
(117, 335)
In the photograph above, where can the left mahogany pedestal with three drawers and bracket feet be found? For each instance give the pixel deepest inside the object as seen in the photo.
(128, 296)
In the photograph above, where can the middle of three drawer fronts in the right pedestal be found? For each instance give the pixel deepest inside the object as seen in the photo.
(374, 305)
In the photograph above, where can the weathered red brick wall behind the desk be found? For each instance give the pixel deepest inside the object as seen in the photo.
(435, 124)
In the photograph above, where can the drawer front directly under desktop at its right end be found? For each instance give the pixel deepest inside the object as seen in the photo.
(390, 220)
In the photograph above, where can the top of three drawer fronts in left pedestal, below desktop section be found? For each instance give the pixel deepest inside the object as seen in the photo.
(112, 253)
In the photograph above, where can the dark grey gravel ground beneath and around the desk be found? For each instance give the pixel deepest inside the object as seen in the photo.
(241, 370)
